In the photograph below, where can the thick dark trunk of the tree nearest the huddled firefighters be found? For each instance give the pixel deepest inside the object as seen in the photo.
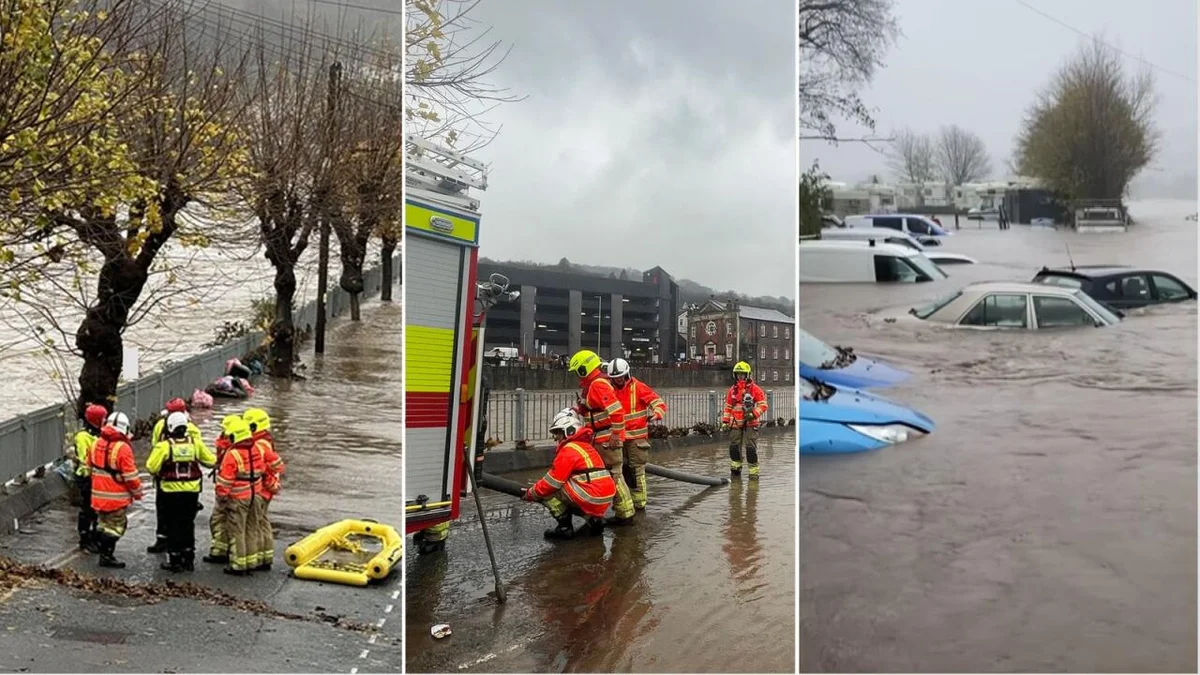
(99, 337)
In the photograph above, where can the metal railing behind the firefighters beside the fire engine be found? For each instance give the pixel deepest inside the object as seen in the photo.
(526, 416)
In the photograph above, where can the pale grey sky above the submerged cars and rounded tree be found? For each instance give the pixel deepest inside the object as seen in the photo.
(981, 63)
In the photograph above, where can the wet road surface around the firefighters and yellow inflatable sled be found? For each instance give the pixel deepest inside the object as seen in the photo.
(340, 435)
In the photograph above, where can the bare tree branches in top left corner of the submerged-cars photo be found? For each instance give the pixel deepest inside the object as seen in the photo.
(842, 45)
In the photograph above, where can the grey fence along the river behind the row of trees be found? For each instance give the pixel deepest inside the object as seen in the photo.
(39, 438)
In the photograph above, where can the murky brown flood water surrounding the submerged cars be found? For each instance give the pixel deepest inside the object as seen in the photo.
(1049, 523)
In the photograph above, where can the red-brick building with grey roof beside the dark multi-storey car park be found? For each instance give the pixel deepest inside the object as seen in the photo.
(724, 332)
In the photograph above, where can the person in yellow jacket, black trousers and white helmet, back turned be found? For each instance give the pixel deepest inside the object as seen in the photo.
(176, 464)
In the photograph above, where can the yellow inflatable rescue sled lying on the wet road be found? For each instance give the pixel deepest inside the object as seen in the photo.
(351, 552)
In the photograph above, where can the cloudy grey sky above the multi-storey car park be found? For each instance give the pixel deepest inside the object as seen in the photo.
(653, 134)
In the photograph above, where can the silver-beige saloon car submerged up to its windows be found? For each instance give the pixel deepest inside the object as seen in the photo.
(1015, 304)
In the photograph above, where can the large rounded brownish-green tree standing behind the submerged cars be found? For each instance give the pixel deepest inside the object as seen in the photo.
(1093, 130)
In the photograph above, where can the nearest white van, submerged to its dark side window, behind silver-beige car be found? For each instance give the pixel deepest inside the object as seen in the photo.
(865, 262)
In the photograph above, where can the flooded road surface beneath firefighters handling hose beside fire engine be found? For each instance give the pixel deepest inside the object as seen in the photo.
(703, 583)
